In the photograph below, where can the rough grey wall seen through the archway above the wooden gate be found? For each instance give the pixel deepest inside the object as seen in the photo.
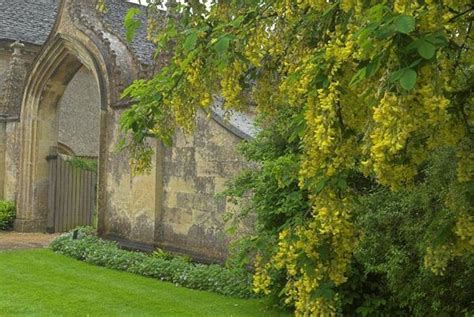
(79, 114)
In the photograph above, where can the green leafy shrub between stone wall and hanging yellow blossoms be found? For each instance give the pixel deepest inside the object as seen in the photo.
(270, 195)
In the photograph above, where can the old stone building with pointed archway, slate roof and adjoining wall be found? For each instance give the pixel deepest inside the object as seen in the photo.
(63, 66)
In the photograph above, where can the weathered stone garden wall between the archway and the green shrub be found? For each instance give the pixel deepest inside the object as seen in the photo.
(175, 205)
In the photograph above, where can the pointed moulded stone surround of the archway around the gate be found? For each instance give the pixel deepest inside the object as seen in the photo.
(78, 39)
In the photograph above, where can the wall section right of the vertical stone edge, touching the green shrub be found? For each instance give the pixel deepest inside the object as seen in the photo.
(190, 219)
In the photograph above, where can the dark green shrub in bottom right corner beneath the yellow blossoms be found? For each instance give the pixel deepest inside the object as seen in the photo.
(397, 229)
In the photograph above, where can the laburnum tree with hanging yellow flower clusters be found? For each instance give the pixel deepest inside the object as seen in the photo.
(367, 89)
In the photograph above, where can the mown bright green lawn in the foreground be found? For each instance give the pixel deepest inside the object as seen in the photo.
(42, 283)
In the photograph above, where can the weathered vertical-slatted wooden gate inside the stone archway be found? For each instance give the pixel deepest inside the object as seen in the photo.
(72, 194)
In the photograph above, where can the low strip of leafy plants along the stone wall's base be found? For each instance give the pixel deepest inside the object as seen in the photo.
(178, 270)
